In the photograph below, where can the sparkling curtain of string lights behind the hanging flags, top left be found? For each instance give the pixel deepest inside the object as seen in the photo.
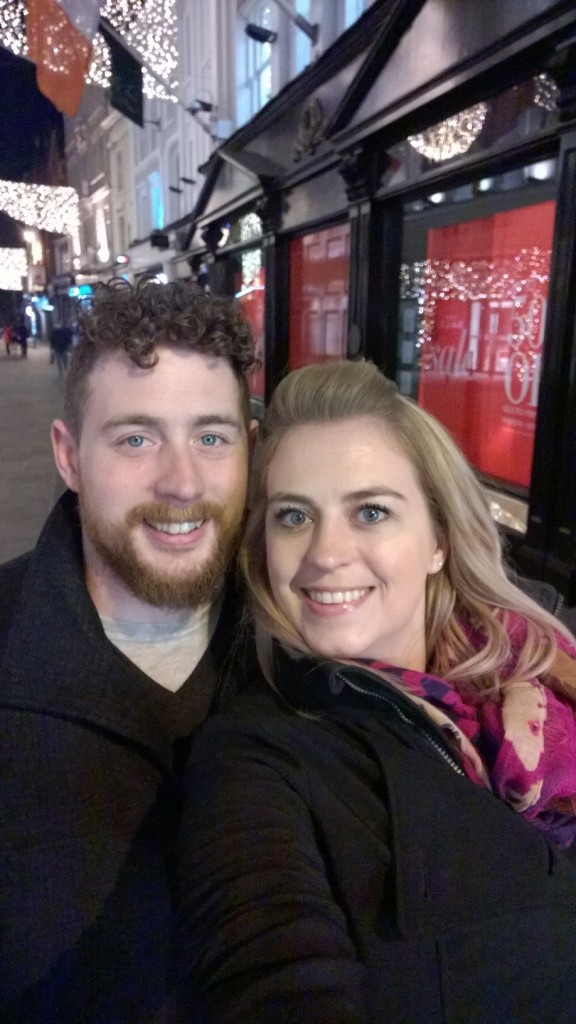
(149, 28)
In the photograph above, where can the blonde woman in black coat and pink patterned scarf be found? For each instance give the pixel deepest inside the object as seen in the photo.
(385, 834)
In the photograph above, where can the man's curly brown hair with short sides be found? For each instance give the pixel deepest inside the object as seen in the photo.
(138, 321)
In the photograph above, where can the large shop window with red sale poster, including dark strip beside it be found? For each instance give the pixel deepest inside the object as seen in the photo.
(474, 297)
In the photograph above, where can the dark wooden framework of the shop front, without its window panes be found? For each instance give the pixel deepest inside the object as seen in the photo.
(322, 152)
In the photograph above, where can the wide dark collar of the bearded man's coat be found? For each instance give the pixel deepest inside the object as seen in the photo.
(58, 660)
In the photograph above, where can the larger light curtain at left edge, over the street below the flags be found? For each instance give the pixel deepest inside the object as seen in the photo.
(51, 208)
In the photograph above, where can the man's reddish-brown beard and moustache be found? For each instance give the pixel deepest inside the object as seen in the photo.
(198, 585)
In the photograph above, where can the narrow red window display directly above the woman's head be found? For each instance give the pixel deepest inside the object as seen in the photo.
(319, 296)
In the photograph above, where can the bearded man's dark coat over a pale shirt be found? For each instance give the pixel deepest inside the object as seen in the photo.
(91, 776)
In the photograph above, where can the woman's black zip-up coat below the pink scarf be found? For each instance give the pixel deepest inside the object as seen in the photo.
(341, 870)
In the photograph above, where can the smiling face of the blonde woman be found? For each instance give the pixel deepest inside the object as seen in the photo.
(350, 542)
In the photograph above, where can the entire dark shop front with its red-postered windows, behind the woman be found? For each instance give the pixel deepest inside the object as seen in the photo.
(417, 193)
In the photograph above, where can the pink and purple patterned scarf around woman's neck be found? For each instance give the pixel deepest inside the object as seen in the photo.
(522, 744)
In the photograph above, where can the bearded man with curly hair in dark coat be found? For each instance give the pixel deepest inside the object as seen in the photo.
(116, 641)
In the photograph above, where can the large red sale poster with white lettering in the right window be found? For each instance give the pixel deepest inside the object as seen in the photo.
(485, 308)
